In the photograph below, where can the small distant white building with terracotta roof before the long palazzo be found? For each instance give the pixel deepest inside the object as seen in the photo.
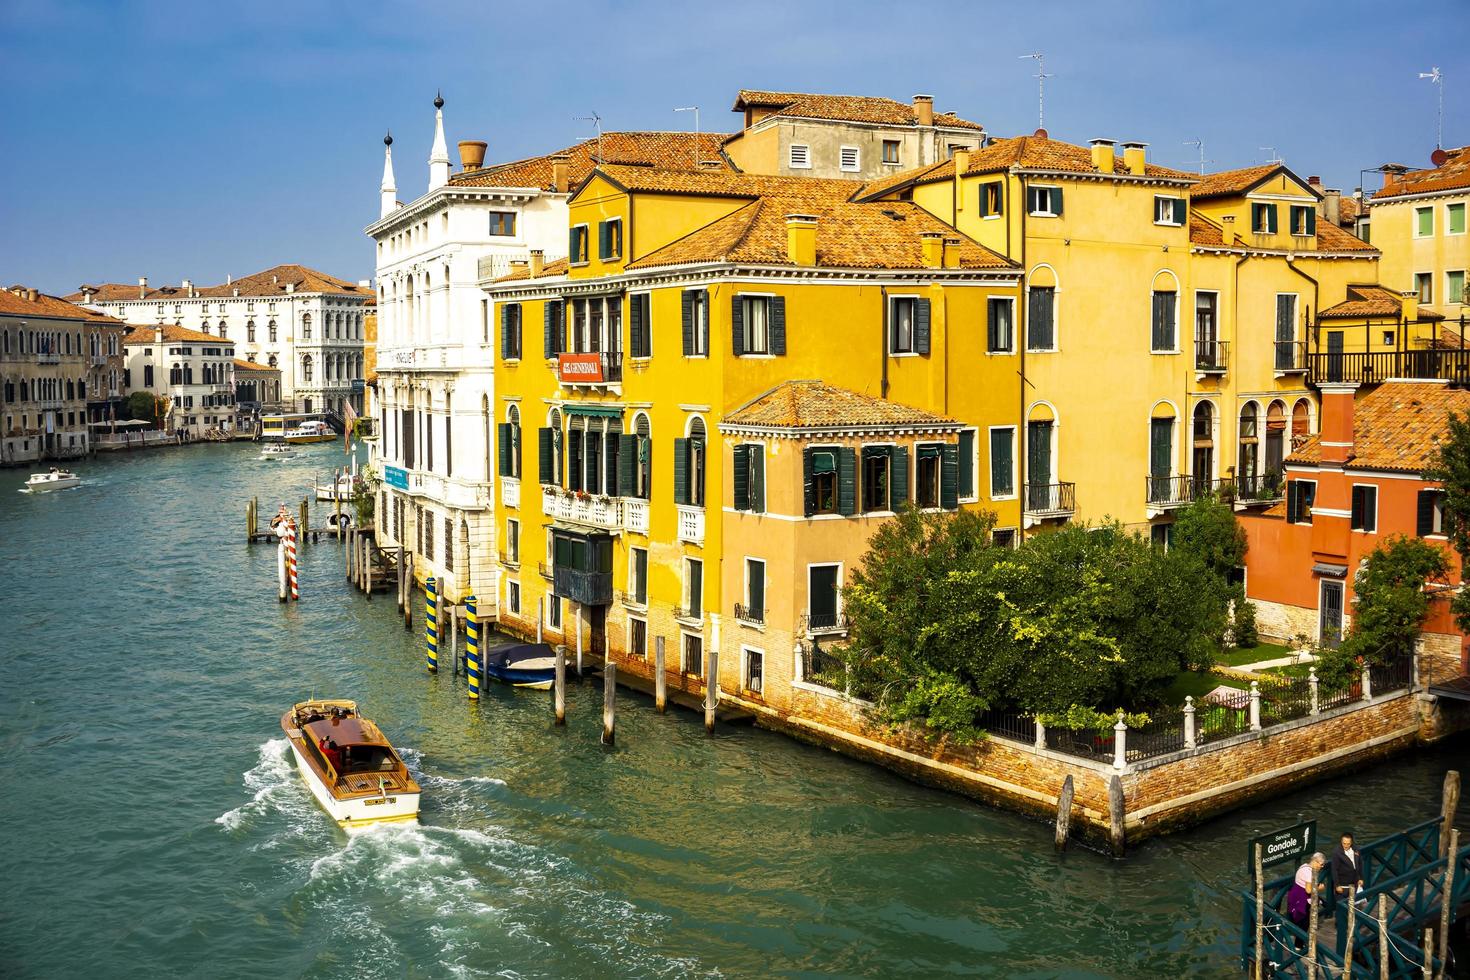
(190, 374)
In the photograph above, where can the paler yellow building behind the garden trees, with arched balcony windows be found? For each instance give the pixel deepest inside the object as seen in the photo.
(1165, 334)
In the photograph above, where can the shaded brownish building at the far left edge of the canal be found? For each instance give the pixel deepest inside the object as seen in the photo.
(60, 364)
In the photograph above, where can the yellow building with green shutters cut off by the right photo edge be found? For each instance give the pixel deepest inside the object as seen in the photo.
(1419, 223)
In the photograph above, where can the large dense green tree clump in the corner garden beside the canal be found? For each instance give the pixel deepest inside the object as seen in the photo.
(944, 627)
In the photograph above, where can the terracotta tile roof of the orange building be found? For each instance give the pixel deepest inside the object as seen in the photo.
(1397, 427)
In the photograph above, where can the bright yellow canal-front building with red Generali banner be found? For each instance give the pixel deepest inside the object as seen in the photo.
(667, 478)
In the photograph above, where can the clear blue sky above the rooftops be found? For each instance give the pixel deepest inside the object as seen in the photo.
(193, 140)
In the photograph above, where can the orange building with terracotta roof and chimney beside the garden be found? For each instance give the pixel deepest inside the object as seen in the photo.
(1350, 489)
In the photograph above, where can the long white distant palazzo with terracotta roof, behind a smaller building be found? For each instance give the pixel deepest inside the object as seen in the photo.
(304, 323)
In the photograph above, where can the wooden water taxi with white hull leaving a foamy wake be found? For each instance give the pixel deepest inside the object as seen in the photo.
(349, 765)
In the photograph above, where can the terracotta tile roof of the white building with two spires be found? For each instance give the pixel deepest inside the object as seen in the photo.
(643, 149)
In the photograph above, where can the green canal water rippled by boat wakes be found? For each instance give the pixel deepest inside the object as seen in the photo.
(154, 824)
